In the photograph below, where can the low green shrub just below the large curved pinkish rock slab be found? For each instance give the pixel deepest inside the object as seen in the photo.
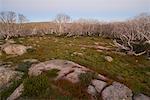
(36, 85)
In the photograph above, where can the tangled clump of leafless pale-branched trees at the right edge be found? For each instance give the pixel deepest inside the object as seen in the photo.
(134, 33)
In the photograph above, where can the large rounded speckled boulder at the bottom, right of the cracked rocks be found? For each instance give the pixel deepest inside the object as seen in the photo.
(117, 91)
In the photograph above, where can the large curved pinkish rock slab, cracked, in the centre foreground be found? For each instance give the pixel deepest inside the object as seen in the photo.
(68, 70)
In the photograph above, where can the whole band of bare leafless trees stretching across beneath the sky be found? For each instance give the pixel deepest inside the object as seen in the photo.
(130, 35)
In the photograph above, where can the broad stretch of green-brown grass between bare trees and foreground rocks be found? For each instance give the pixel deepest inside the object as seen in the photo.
(129, 70)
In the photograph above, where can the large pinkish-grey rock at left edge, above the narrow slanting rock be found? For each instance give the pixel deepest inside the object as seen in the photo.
(7, 75)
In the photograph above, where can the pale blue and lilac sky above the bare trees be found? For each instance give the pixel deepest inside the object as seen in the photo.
(104, 10)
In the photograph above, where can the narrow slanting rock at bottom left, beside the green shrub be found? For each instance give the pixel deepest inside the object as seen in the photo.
(17, 93)
